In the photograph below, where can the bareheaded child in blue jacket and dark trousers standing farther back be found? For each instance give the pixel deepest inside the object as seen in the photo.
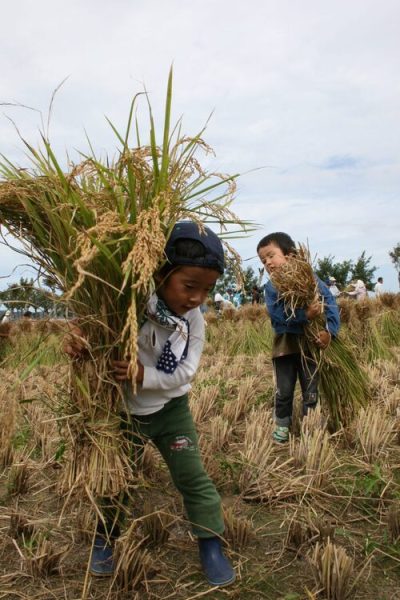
(288, 361)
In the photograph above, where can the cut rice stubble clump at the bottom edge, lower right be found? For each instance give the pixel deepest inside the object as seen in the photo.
(333, 571)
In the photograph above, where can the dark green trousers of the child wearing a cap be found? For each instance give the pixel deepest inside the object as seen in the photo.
(173, 432)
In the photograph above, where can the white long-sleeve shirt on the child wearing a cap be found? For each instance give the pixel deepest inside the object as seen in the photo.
(158, 387)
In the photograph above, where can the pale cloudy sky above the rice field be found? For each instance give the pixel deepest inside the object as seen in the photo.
(304, 99)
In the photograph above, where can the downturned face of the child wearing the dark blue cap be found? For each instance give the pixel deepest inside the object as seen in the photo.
(187, 288)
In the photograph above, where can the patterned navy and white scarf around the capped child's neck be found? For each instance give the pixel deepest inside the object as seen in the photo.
(176, 347)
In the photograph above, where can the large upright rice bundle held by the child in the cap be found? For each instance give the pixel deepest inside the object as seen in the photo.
(98, 229)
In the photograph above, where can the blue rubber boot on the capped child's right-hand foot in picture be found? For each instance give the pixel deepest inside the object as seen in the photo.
(216, 567)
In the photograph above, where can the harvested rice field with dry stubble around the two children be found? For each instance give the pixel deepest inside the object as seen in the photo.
(316, 518)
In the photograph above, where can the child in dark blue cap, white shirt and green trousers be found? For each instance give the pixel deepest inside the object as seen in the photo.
(170, 345)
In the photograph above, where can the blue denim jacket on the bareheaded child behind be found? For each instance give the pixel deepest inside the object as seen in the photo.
(284, 323)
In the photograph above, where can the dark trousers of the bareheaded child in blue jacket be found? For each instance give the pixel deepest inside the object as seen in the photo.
(287, 369)
